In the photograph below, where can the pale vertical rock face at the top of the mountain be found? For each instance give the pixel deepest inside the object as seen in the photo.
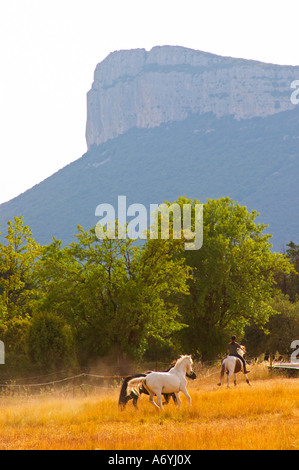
(143, 89)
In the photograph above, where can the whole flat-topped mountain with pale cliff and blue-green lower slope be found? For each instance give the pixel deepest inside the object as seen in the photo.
(172, 122)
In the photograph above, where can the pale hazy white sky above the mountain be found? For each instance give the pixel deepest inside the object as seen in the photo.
(50, 48)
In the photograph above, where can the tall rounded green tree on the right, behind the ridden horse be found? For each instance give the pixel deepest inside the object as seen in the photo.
(232, 277)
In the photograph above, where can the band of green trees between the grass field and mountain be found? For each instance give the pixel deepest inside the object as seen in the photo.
(66, 306)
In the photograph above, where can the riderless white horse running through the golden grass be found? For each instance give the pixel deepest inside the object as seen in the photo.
(173, 381)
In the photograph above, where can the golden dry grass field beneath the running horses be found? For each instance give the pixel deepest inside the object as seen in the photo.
(264, 416)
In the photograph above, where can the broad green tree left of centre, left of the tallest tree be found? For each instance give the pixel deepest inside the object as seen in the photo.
(116, 296)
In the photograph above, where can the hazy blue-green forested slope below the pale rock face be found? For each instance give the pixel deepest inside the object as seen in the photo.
(174, 159)
